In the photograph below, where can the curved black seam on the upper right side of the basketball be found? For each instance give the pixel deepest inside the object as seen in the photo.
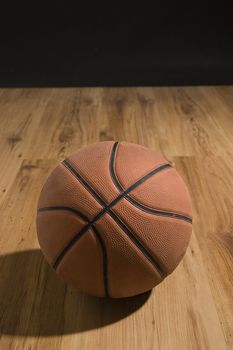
(135, 202)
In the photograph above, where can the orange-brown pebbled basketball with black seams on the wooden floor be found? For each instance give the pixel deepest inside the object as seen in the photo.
(114, 219)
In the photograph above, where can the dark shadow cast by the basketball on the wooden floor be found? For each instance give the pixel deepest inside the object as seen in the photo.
(34, 301)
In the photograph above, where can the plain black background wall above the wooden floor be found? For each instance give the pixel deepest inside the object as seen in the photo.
(160, 43)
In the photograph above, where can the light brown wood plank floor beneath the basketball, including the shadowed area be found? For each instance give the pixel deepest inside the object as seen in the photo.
(191, 309)
